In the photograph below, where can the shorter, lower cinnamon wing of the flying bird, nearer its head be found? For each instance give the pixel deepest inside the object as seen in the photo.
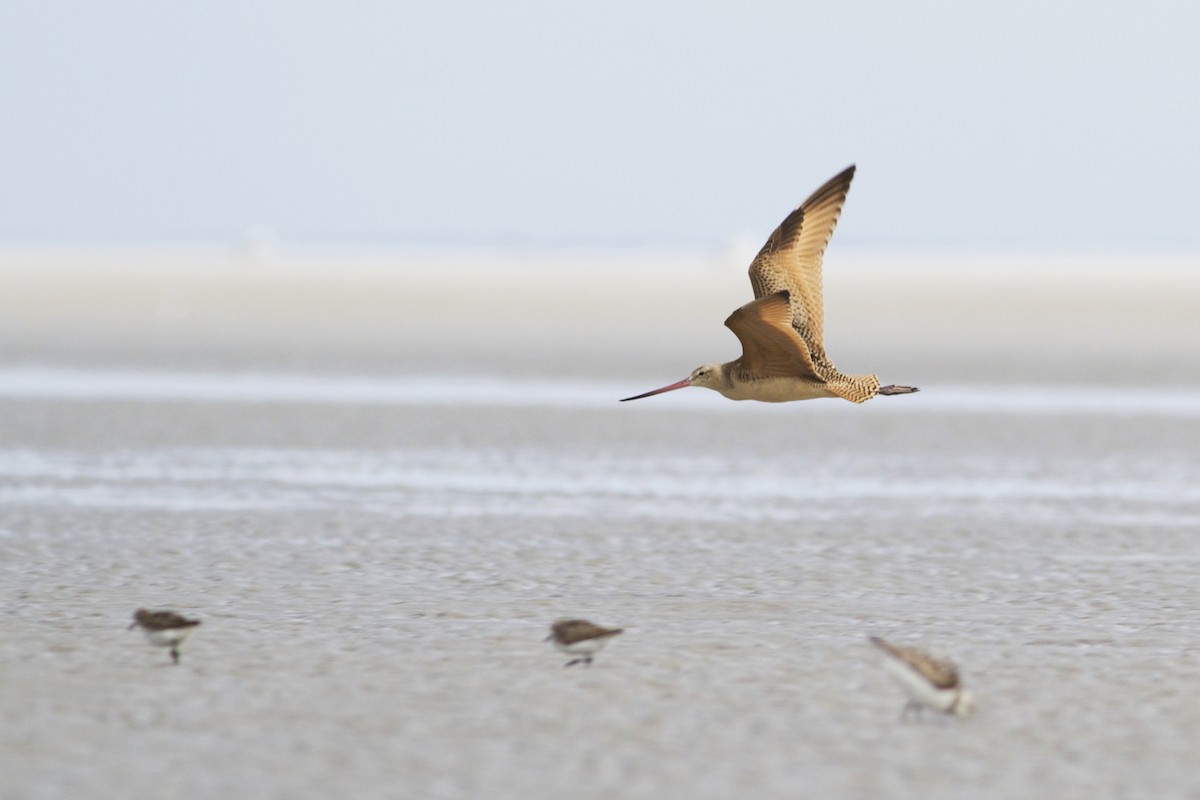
(771, 347)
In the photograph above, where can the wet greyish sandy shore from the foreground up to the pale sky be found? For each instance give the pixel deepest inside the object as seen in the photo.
(379, 480)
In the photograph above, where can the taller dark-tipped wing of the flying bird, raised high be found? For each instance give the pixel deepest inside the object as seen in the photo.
(791, 258)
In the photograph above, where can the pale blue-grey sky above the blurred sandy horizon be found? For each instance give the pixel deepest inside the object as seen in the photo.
(1015, 124)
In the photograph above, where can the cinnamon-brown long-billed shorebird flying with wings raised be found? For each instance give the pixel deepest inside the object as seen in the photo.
(783, 330)
